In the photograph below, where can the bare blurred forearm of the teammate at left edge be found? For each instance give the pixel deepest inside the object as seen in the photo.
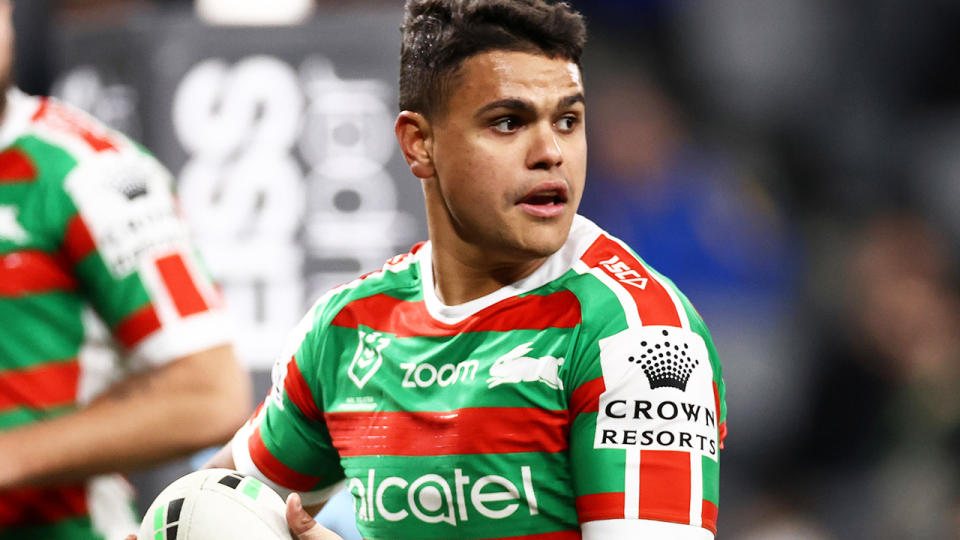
(189, 404)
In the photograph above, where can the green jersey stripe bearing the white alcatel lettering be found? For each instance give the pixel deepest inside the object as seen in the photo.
(436, 496)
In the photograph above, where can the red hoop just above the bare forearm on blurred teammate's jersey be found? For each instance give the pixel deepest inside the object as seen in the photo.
(47, 385)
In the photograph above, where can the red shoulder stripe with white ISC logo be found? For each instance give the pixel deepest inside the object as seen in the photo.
(654, 303)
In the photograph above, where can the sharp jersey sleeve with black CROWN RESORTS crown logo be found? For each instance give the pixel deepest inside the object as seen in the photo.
(646, 400)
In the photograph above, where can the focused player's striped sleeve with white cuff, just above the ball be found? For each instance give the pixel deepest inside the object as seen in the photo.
(286, 442)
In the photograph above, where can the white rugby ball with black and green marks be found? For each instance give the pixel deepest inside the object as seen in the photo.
(215, 504)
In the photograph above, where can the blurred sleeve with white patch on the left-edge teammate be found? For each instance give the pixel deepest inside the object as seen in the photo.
(115, 221)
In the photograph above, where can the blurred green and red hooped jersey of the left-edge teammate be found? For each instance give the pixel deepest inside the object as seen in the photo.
(88, 224)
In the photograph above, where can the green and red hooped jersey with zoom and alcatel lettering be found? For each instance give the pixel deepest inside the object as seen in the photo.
(588, 391)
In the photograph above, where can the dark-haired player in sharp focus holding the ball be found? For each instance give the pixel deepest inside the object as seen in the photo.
(522, 374)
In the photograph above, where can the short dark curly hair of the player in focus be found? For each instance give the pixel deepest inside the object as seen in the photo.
(438, 35)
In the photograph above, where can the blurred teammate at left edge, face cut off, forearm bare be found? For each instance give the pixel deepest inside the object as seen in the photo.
(88, 220)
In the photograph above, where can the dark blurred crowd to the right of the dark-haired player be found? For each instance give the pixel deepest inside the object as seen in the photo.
(794, 166)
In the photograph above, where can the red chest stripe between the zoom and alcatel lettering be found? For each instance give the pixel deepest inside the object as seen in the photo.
(486, 430)
